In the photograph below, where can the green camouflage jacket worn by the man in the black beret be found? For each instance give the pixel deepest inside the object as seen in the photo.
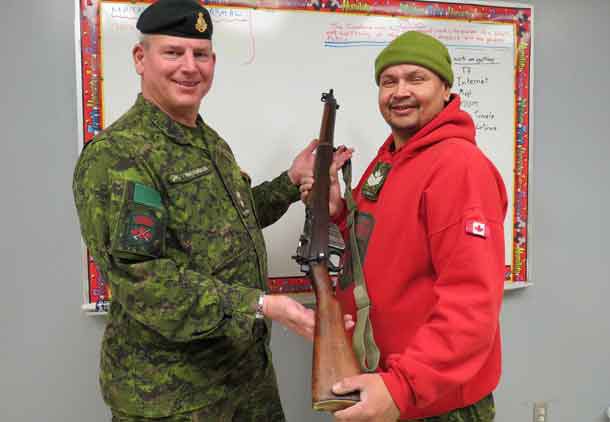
(174, 226)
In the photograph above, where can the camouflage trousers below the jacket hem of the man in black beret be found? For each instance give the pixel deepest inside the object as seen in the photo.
(257, 401)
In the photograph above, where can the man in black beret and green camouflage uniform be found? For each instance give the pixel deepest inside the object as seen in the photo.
(175, 227)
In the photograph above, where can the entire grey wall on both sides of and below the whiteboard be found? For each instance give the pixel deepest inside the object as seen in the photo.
(556, 340)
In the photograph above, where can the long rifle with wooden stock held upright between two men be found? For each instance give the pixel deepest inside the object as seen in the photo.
(333, 356)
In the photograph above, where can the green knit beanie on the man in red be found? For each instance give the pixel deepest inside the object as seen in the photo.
(416, 48)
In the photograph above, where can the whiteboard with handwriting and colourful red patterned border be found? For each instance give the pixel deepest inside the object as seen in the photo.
(273, 64)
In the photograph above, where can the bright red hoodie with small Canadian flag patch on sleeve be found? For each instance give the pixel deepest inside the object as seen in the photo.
(433, 247)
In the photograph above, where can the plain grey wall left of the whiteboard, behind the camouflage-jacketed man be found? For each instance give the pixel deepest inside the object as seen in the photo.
(48, 350)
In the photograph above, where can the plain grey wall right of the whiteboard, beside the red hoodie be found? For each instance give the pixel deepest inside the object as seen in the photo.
(557, 333)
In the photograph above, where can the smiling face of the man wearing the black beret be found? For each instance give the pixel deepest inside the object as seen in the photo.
(176, 73)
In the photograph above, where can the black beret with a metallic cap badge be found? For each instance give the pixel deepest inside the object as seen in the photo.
(180, 18)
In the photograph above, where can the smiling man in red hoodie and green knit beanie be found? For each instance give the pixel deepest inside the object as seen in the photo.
(429, 229)
